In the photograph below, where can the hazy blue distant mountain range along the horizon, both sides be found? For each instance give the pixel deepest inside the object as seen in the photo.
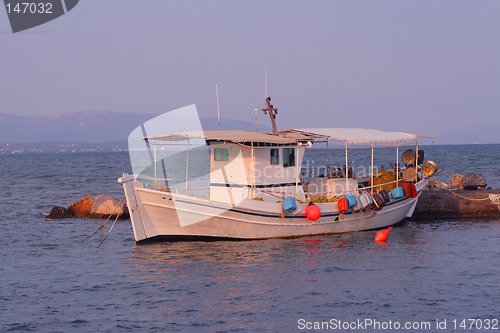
(98, 127)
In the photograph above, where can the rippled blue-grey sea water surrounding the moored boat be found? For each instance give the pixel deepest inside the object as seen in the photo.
(51, 282)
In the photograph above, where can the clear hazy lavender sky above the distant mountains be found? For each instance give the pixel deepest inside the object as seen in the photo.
(417, 66)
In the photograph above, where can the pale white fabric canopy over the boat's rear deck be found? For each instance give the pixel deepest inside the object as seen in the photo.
(354, 136)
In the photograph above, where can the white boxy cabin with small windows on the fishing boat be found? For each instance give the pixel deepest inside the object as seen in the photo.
(252, 165)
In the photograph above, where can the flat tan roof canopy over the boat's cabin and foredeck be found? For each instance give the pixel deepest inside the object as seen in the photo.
(236, 136)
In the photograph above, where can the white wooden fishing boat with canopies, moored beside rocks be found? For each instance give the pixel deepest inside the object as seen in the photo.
(256, 184)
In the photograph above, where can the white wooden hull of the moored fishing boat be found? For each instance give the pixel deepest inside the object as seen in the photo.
(155, 216)
